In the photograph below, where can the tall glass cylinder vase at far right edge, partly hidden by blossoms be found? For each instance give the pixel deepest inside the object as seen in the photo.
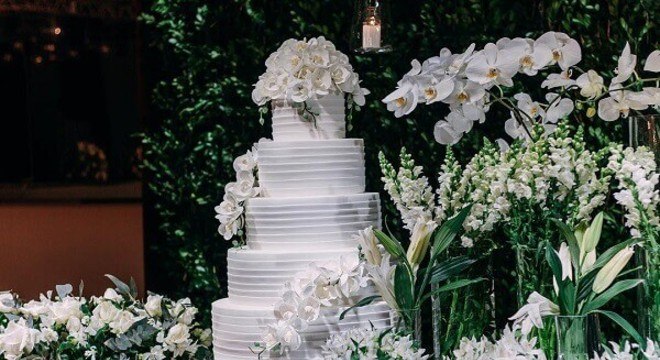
(644, 130)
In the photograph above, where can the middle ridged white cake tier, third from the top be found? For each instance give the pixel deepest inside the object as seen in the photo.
(310, 223)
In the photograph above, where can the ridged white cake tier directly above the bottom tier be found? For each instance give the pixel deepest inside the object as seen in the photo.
(257, 277)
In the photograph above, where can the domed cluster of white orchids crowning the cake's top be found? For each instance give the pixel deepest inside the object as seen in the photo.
(305, 69)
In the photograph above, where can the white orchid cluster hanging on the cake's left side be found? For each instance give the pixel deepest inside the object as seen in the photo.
(231, 209)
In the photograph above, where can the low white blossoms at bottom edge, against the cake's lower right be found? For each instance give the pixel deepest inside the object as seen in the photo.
(371, 344)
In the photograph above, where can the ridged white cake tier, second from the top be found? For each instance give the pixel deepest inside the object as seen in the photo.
(311, 168)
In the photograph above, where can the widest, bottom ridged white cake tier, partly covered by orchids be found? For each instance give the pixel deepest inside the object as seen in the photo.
(237, 328)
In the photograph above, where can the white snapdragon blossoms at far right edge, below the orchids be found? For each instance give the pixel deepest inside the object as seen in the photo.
(635, 171)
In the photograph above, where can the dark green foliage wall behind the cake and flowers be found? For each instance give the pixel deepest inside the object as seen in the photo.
(207, 54)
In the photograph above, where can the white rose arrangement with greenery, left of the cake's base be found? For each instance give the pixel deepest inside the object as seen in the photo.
(114, 326)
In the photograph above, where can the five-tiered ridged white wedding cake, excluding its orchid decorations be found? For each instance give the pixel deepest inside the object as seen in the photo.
(313, 203)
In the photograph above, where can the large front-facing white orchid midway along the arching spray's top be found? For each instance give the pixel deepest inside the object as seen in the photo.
(493, 66)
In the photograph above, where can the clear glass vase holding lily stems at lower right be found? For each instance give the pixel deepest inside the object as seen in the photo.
(578, 336)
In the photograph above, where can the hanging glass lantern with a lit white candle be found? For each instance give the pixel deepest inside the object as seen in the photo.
(370, 28)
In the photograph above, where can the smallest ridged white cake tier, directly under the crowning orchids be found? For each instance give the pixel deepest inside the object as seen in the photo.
(325, 119)
